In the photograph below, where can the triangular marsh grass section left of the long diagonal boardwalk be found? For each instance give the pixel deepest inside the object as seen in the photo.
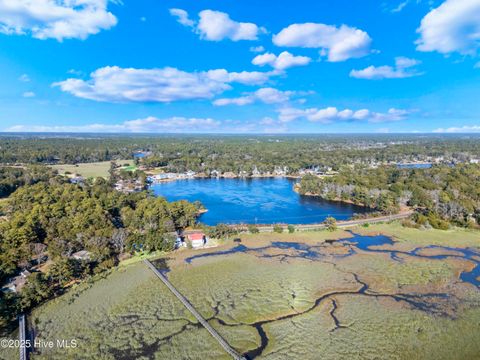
(123, 316)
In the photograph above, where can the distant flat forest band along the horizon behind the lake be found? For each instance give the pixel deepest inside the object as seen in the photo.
(238, 153)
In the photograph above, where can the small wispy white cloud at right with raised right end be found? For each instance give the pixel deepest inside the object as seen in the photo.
(404, 68)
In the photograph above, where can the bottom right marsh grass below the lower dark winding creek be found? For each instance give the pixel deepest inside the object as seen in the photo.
(374, 329)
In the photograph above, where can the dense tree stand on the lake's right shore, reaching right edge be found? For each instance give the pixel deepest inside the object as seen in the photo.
(441, 194)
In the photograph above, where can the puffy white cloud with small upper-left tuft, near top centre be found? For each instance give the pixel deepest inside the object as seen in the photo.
(216, 26)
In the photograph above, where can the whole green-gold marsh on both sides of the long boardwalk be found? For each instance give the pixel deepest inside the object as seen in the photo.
(335, 300)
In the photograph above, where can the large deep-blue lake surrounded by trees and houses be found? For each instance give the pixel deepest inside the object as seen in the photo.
(250, 201)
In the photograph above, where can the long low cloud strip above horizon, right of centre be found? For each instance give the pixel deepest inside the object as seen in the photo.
(332, 114)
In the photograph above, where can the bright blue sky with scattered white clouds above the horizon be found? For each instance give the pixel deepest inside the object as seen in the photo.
(240, 66)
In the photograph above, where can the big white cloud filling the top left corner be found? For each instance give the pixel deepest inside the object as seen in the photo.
(58, 19)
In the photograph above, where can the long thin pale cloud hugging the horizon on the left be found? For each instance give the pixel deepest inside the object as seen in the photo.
(149, 124)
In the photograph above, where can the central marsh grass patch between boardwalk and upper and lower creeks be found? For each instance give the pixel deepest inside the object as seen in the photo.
(246, 289)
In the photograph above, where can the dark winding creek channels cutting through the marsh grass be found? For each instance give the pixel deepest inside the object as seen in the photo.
(427, 302)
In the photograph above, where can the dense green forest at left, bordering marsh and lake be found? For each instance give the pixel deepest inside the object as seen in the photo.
(46, 223)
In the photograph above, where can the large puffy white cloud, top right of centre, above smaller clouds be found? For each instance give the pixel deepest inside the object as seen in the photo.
(338, 44)
